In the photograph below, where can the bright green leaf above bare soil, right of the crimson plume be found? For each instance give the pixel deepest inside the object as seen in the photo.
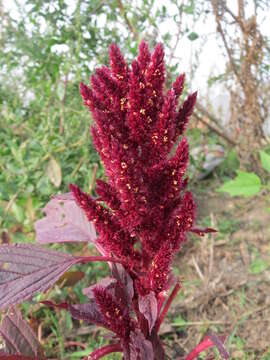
(245, 184)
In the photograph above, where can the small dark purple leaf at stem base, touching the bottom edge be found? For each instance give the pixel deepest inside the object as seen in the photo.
(140, 348)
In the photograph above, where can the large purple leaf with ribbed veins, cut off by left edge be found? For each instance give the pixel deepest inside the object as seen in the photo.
(28, 269)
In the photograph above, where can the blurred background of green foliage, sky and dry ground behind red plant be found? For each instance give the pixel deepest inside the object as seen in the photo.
(46, 49)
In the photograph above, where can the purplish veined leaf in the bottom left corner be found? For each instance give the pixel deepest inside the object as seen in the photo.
(19, 338)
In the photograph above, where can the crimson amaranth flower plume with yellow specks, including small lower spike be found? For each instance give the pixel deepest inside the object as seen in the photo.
(143, 211)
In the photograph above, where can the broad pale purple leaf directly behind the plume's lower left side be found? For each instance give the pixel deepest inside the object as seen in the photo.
(64, 222)
